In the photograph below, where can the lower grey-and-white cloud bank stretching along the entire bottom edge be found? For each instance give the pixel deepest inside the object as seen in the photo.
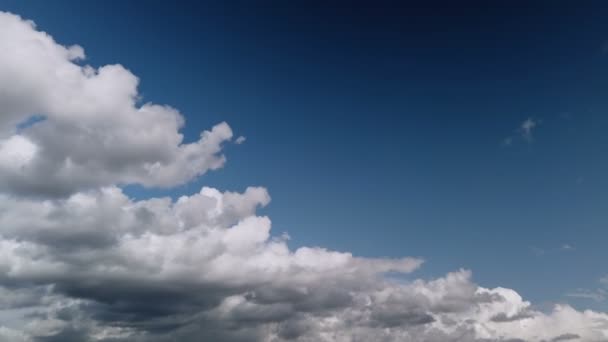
(100, 266)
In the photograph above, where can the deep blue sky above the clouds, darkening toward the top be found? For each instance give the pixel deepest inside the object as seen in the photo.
(379, 130)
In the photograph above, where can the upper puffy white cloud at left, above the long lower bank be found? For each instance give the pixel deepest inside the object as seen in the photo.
(91, 130)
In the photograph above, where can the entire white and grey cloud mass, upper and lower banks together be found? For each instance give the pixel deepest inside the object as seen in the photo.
(81, 261)
